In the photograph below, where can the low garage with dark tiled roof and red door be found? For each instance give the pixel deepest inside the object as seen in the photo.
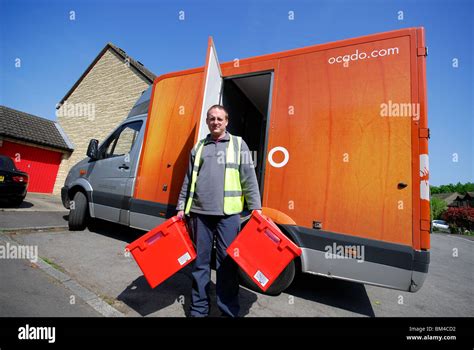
(36, 145)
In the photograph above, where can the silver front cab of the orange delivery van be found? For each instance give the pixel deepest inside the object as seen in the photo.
(101, 185)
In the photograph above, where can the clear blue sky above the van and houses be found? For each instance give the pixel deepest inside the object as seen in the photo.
(54, 50)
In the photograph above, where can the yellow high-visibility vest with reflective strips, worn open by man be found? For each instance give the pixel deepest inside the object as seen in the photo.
(233, 195)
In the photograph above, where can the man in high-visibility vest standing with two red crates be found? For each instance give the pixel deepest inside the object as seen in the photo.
(220, 177)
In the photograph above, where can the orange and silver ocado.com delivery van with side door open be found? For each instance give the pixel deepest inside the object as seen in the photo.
(339, 138)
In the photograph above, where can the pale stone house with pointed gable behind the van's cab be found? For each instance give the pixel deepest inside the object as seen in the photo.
(99, 100)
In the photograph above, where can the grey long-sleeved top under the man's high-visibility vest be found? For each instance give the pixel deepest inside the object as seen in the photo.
(208, 196)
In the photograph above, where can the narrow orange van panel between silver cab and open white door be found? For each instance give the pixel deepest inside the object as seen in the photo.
(169, 137)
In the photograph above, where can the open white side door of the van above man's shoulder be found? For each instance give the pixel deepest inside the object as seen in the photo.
(212, 90)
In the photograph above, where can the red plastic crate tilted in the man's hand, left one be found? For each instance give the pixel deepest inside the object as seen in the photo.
(163, 251)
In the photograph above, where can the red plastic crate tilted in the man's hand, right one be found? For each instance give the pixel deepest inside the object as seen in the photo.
(262, 250)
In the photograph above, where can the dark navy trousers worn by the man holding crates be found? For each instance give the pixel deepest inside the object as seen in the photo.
(226, 229)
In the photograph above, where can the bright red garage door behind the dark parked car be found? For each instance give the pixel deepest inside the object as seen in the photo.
(42, 165)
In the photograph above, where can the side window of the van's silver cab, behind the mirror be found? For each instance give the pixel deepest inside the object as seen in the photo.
(122, 141)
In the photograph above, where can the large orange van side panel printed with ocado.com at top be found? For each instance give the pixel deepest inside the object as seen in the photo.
(349, 147)
